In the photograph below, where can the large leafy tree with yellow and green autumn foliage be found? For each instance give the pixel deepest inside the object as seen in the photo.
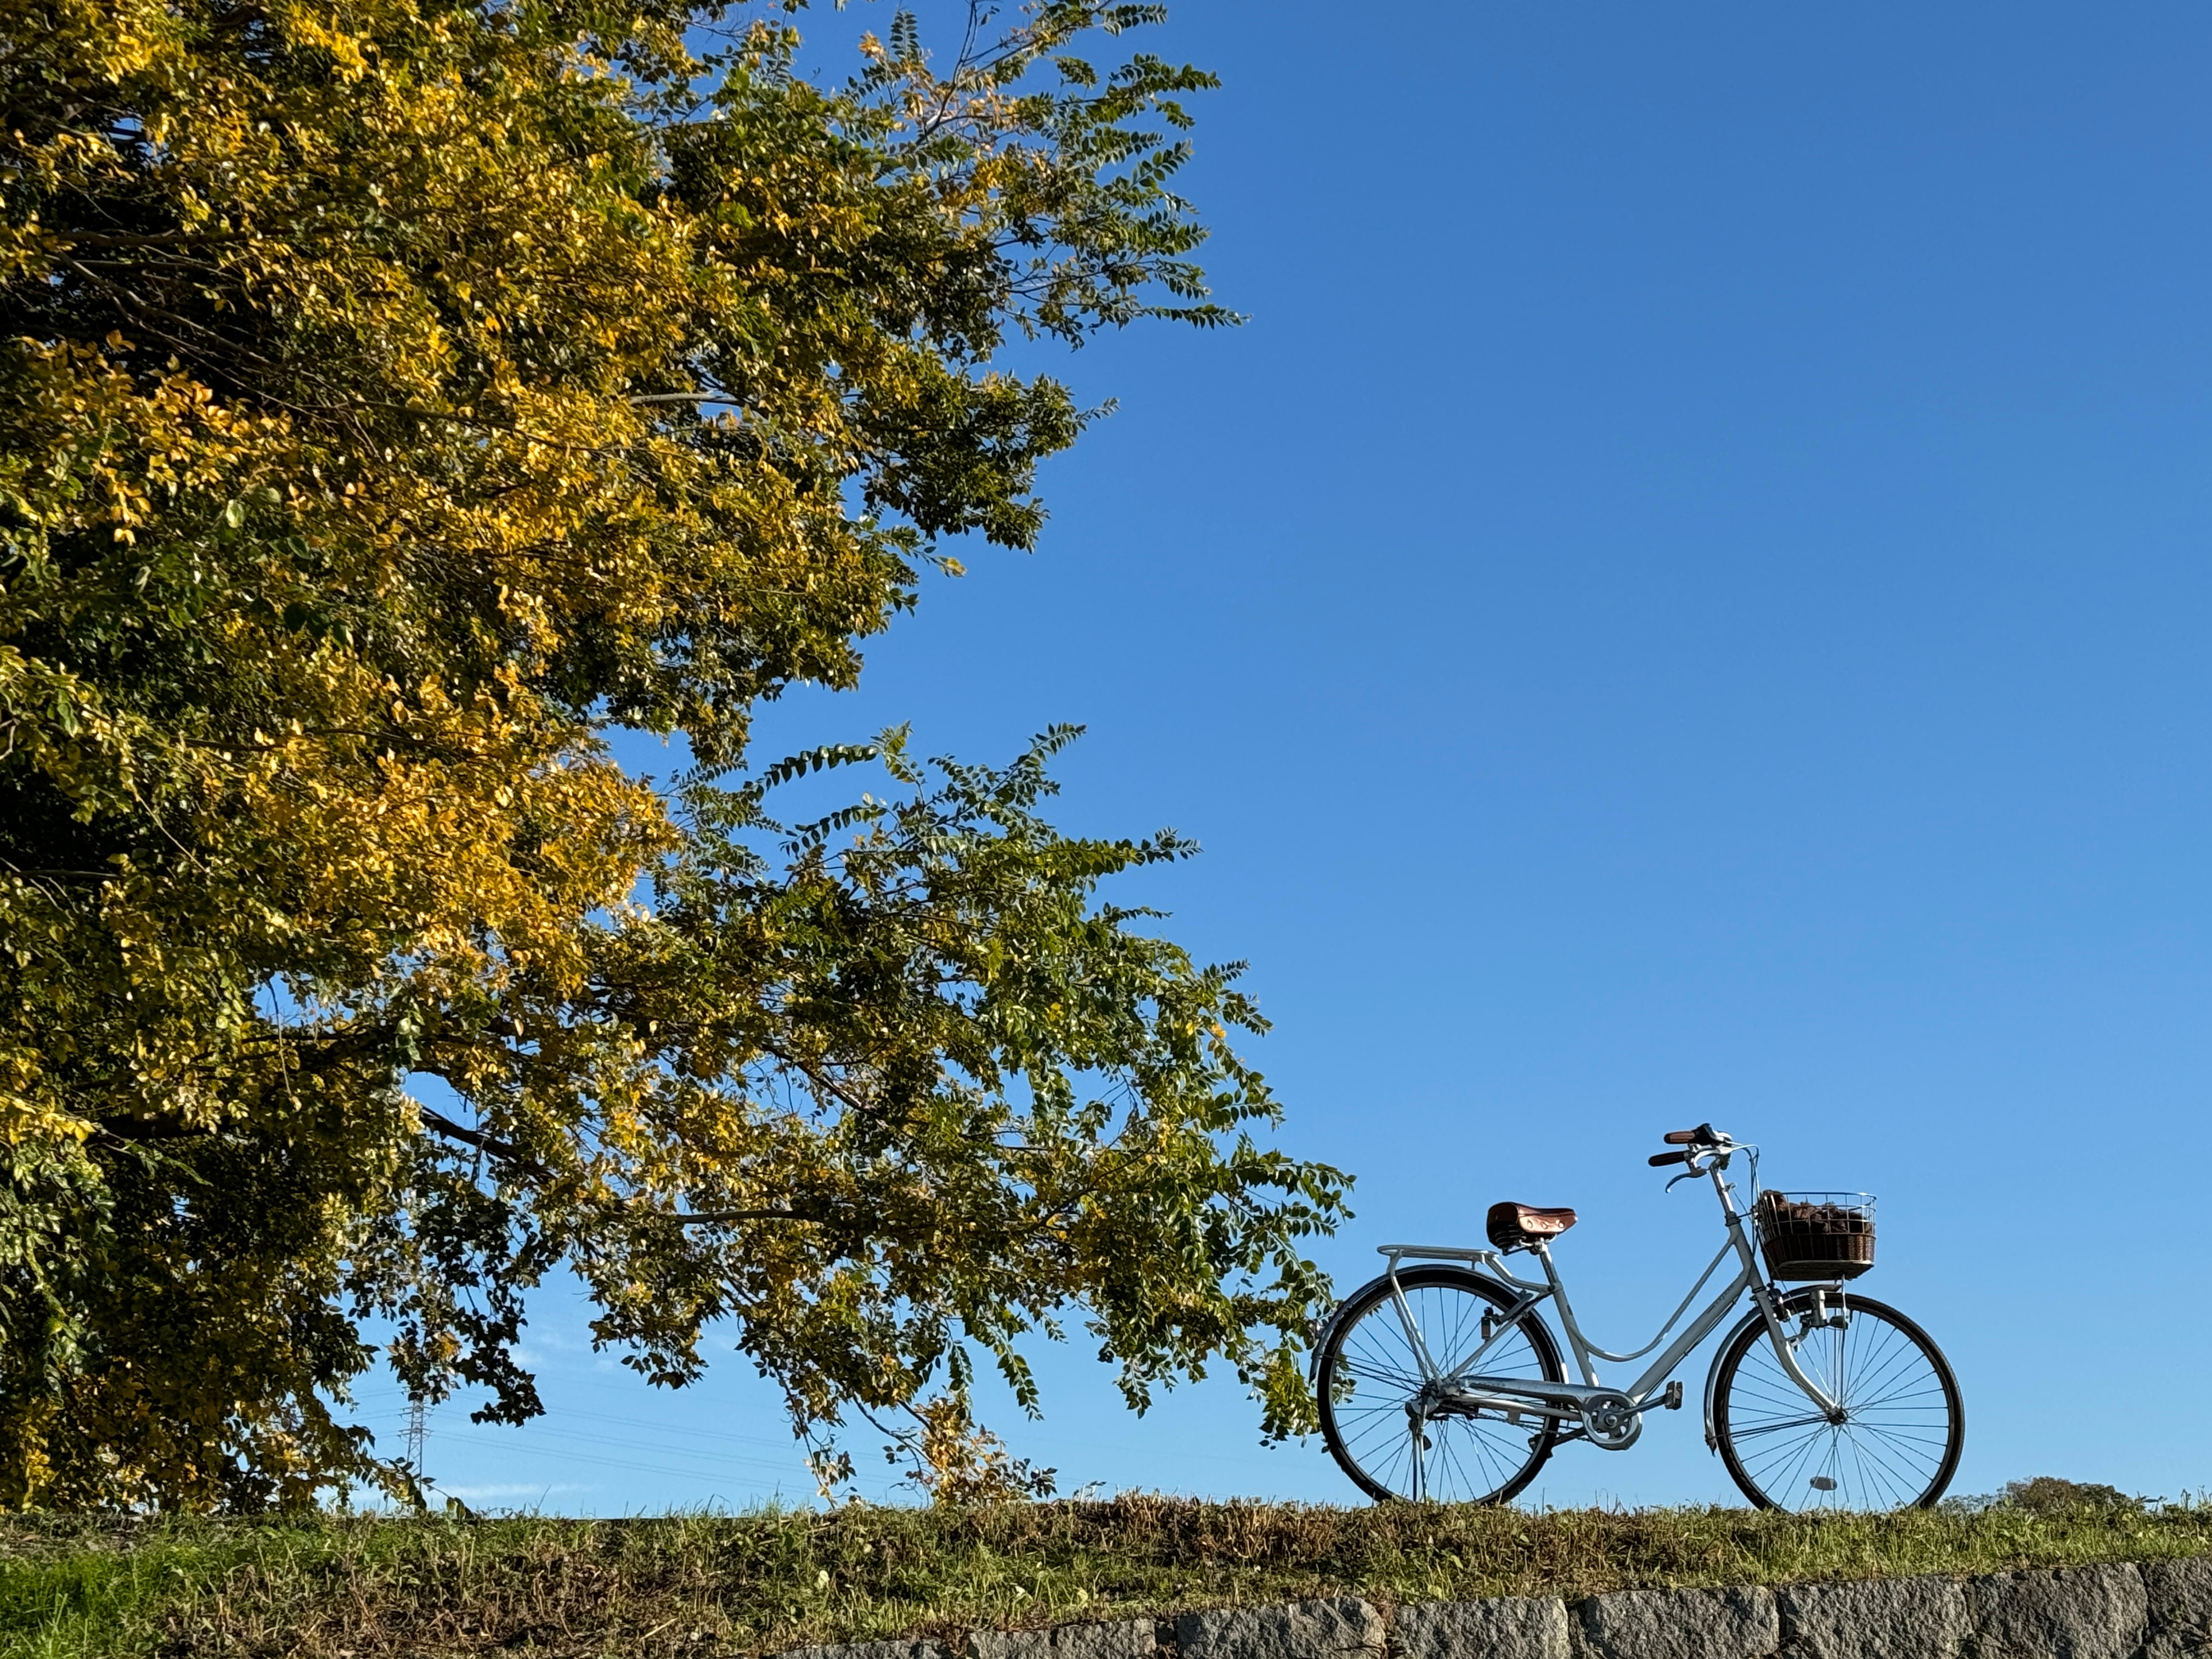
(397, 397)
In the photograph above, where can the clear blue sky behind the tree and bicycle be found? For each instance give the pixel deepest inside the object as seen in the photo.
(1684, 603)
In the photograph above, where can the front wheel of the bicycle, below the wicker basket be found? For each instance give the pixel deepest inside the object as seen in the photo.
(1899, 1419)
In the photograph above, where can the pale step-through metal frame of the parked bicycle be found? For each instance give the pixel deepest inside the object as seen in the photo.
(1607, 1417)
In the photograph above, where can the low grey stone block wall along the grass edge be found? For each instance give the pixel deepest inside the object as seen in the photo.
(2153, 1611)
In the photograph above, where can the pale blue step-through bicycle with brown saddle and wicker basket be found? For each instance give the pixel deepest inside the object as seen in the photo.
(1446, 1384)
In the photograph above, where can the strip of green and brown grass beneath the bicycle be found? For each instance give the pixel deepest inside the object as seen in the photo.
(744, 1585)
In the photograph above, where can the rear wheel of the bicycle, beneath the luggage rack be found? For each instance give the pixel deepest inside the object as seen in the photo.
(1465, 1457)
